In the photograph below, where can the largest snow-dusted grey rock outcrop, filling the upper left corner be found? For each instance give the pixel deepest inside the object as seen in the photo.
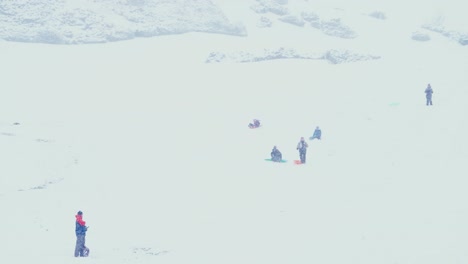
(92, 21)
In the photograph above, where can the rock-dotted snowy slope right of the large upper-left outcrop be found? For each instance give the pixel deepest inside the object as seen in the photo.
(337, 31)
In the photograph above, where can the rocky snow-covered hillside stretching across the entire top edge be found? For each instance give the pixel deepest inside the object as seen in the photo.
(90, 21)
